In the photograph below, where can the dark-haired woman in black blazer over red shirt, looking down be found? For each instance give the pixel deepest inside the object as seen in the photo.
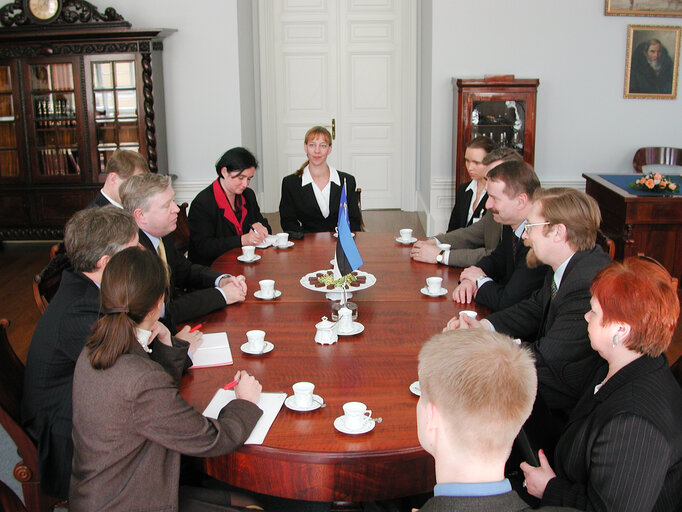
(225, 215)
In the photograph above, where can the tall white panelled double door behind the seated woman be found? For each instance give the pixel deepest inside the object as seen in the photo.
(351, 63)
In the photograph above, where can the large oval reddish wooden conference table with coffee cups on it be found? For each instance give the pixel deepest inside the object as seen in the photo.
(303, 456)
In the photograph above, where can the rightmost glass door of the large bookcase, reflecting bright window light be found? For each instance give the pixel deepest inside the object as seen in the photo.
(116, 101)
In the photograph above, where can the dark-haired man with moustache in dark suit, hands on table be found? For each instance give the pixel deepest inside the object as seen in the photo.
(503, 278)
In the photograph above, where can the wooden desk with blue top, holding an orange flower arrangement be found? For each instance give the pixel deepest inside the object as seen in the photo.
(640, 224)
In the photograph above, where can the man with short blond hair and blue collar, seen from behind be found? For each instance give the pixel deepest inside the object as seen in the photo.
(477, 389)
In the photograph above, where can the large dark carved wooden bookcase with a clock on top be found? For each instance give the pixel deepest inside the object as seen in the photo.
(72, 91)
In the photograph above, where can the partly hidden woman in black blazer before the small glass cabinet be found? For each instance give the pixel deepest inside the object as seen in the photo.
(471, 196)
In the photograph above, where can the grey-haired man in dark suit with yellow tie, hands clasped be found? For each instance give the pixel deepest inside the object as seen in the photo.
(195, 289)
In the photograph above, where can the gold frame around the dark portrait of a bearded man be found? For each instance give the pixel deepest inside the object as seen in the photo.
(654, 31)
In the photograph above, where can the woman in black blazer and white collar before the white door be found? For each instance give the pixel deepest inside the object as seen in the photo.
(311, 196)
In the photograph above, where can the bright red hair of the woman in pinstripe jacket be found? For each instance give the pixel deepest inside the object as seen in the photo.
(640, 293)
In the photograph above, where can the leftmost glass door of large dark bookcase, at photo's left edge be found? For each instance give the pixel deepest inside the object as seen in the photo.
(10, 130)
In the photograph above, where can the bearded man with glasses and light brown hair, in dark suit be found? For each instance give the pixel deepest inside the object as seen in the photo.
(561, 231)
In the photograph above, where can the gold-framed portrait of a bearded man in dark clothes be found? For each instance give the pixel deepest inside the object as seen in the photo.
(651, 62)
